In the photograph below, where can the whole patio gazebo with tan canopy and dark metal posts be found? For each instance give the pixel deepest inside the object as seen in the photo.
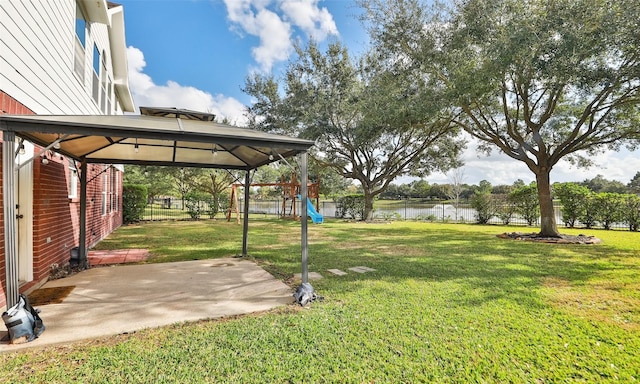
(164, 136)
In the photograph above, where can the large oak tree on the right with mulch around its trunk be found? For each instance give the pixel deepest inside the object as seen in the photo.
(540, 80)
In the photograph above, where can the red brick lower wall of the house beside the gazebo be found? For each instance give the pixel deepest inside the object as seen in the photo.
(56, 217)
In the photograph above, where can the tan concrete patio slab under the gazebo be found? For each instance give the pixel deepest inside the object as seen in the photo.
(124, 298)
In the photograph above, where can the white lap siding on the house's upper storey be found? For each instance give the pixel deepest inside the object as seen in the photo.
(37, 40)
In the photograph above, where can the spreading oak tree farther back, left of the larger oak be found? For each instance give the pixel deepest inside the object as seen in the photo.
(372, 121)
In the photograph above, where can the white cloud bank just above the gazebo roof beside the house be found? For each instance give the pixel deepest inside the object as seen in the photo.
(148, 94)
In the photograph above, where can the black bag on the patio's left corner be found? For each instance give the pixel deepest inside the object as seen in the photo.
(22, 320)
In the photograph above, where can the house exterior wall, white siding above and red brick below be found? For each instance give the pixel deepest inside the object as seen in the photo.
(37, 41)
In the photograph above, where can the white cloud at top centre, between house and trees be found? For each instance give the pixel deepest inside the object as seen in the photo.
(274, 31)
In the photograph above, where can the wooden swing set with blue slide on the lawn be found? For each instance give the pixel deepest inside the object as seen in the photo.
(290, 194)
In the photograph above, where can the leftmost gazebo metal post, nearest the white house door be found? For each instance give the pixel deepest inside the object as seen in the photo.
(8, 193)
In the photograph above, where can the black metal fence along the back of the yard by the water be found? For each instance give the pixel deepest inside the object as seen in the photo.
(388, 210)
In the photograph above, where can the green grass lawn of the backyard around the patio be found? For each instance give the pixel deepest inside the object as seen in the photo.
(447, 303)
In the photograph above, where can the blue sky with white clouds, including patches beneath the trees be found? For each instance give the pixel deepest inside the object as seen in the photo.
(196, 54)
